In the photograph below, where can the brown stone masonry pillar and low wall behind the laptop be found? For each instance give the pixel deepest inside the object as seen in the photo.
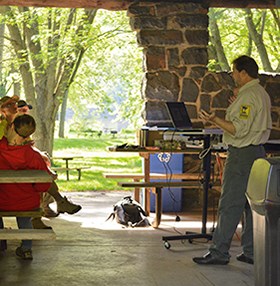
(174, 37)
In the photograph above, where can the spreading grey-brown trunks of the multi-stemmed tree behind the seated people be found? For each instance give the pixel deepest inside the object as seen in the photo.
(46, 76)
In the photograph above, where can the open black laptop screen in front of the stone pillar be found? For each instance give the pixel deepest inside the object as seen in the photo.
(179, 115)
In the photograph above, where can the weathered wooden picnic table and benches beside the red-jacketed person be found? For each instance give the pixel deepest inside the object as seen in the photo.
(24, 176)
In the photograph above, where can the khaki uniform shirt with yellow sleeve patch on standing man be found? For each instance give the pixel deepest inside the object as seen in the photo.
(250, 114)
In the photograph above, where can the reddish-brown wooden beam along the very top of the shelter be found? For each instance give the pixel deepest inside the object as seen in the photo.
(123, 4)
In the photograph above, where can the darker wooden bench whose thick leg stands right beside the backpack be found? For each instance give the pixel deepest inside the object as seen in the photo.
(157, 189)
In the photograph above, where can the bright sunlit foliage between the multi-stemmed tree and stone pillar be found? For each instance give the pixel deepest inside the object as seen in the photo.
(110, 77)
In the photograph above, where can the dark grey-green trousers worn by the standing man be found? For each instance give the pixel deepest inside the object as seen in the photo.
(233, 202)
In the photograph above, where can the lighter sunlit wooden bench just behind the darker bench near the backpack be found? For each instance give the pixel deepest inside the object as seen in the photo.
(137, 177)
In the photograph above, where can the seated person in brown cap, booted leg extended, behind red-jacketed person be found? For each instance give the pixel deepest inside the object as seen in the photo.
(9, 110)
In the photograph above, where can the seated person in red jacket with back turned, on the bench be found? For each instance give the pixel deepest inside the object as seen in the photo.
(16, 153)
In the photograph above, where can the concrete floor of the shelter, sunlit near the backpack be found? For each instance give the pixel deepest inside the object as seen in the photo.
(90, 251)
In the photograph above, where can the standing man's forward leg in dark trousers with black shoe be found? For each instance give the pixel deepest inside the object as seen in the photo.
(231, 204)
